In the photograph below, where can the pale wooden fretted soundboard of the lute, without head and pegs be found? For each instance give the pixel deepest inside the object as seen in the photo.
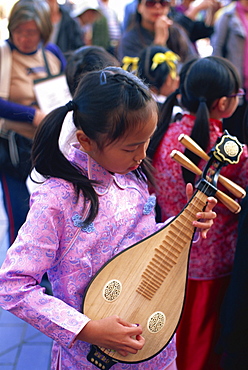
(145, 284)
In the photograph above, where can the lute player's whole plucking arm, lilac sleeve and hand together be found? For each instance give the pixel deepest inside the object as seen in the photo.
(39, 248)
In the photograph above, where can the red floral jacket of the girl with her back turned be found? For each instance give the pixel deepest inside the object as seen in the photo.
(212, 257)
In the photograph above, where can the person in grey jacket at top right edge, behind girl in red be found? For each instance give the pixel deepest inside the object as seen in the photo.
(230, 40)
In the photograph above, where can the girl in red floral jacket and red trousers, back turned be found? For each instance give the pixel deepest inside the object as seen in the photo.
(209, 91)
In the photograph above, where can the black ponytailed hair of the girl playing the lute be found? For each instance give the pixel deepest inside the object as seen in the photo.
(107, 105)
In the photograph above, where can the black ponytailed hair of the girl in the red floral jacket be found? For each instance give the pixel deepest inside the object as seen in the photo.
(202, 81)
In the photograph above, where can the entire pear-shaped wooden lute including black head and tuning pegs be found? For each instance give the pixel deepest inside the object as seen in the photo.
(145, 284)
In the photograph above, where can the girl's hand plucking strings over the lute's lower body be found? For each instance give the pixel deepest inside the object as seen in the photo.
(115, 334)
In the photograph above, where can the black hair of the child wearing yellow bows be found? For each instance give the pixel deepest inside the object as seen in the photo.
(158, 76)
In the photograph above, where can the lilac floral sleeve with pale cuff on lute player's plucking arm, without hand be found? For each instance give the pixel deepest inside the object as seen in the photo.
(35, 251)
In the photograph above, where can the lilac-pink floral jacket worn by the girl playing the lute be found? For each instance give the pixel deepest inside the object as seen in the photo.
(53, 239)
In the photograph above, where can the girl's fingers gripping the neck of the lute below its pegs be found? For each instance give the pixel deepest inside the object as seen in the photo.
(206, 217)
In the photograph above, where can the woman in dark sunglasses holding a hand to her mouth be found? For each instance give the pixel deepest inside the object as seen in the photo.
(153, 26)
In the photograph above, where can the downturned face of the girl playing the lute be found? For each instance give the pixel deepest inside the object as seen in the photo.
(126, 154)
